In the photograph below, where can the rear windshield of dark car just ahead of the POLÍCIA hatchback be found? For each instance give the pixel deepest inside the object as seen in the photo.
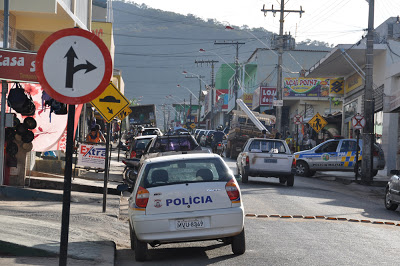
(175, 144)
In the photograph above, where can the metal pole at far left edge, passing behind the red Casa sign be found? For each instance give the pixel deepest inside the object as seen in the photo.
(4, 91)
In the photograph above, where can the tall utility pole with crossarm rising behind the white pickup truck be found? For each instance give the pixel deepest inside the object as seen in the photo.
(278, 123)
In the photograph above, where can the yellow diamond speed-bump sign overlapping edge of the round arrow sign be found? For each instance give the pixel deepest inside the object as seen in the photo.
(110, 103)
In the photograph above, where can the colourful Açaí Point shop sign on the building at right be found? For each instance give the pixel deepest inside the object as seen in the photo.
(306, 87)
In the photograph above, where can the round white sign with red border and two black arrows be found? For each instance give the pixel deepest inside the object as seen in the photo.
(73, 66)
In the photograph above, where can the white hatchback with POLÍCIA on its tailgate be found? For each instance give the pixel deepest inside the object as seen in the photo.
(182, 198)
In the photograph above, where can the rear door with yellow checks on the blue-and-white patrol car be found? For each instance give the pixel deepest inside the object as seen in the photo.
(347, 154)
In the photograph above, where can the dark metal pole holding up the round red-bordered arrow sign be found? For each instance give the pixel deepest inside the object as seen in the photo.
(67, 187)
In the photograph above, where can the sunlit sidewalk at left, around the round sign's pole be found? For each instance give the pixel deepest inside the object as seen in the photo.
(31, 240)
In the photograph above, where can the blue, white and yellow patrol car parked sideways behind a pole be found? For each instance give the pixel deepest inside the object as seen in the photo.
(336, 155)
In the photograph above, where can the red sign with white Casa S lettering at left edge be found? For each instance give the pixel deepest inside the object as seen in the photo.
(17, 66)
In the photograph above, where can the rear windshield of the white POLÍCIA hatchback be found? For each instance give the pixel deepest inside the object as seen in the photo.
(184, 171)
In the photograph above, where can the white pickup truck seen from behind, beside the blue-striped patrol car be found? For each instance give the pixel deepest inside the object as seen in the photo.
(267, 158)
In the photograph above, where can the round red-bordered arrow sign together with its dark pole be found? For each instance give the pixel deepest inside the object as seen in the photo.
(73, 66)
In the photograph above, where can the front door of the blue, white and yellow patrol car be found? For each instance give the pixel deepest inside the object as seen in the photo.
(325, 157)
